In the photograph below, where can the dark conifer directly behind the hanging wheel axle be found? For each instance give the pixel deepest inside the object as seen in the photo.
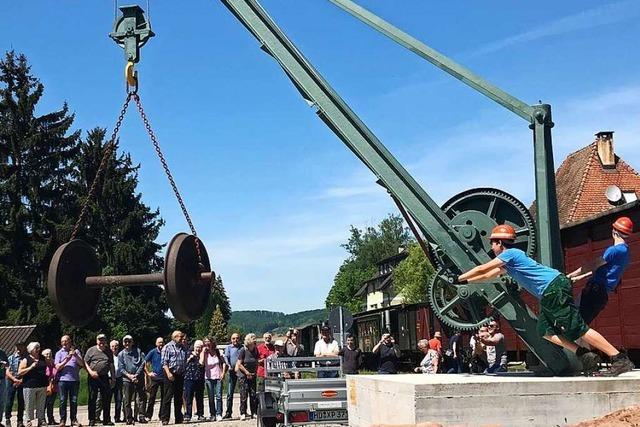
(123, 231)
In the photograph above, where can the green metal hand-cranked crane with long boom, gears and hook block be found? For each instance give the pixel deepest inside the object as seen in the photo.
(455, 232)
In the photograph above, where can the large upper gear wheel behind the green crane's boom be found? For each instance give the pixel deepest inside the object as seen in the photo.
(475, 212)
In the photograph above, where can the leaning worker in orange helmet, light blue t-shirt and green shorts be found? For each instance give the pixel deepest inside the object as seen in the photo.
(559, 320)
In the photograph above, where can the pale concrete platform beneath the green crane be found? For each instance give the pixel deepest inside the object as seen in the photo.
(477, 400)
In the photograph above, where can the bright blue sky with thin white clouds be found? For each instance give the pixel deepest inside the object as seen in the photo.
(271, 190)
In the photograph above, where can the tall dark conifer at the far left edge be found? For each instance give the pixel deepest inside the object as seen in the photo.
(36, 204)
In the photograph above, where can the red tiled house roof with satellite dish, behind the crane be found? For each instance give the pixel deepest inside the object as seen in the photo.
(581, 182)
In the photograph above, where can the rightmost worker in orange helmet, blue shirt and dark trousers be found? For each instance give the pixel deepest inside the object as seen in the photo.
(605, 271)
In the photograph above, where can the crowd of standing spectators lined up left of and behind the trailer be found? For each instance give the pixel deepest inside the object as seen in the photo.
(178, 373)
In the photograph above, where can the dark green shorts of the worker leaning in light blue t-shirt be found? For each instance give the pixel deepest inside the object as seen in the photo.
(558, 313)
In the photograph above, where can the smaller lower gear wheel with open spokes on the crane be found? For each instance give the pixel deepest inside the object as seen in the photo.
(458, 306)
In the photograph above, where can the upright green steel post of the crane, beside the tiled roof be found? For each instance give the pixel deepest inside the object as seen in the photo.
(550, 248)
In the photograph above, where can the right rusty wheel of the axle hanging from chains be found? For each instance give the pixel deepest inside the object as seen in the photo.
(187, 294)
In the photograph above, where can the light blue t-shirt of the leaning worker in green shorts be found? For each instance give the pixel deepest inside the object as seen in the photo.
(531, 275)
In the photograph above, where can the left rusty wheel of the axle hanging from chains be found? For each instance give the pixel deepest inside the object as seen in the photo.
(71, 264)
